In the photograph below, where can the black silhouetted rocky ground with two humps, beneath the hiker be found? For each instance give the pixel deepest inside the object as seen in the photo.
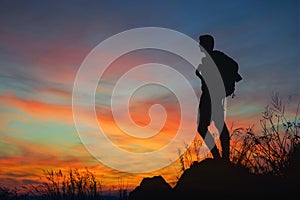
(213, 179)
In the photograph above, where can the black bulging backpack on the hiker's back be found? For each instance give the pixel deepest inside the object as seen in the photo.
(229, 71)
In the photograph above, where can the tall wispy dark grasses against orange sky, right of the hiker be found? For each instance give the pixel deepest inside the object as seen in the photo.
(267, 152)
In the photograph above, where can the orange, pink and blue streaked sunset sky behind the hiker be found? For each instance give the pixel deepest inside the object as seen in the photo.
(43, 43)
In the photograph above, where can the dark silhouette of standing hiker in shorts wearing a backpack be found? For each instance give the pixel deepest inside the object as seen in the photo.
(228, 69)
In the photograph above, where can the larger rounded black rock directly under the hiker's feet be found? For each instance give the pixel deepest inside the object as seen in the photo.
(212, 179)
